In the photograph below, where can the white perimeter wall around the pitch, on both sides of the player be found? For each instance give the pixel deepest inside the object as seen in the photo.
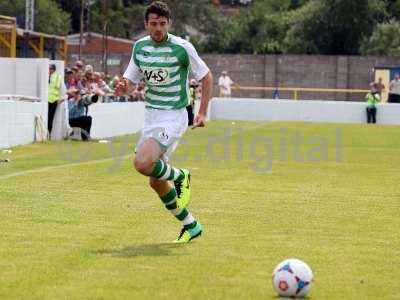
(30, 77)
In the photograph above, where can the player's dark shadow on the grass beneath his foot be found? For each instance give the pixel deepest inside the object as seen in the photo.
(163, 249)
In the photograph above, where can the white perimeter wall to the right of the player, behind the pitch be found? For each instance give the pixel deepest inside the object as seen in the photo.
(300, 110)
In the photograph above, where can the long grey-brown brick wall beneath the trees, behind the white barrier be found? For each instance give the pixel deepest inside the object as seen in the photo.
(309, 71)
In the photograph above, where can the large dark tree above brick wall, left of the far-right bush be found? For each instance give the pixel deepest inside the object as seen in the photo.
(332, 26)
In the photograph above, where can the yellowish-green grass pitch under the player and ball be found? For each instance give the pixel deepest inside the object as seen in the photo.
(77, 222)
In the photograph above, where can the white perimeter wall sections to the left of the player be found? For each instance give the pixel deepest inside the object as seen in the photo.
(29, 77)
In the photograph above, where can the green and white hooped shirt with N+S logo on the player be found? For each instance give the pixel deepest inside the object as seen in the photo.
(165, 69)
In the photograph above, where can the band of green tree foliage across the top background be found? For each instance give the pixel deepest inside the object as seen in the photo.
(264, 27)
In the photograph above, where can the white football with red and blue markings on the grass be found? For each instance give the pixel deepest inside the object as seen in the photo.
(292, 278)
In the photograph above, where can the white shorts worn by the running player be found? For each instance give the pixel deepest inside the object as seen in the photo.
(166, 127)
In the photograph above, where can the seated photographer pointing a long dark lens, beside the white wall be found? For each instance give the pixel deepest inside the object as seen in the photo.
(77, 108)
